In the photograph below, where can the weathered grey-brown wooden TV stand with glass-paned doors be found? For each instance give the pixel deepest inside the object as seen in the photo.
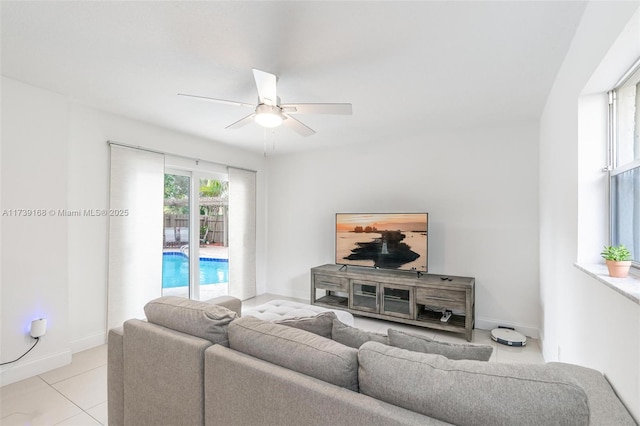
(398, 296)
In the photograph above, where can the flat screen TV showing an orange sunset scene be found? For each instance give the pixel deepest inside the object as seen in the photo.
(383, 240)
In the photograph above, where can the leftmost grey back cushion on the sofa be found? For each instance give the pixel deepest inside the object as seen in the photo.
(200, 319)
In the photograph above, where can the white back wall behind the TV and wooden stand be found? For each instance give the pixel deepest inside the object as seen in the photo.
(480, 188)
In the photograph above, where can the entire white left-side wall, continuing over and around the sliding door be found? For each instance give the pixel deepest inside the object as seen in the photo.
(55, 155)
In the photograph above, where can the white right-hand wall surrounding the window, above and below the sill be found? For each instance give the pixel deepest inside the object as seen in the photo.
(583, 321)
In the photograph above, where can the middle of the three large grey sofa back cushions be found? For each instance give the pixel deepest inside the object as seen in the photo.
(297, 350)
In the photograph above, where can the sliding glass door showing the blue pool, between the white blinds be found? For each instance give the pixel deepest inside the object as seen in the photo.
(195, 259)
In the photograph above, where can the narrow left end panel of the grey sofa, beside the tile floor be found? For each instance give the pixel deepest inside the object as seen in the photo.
(115, 376)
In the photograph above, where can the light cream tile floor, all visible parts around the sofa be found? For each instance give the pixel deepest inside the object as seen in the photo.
(76, 395)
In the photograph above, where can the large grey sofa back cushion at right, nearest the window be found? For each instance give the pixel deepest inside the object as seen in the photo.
(471, 392)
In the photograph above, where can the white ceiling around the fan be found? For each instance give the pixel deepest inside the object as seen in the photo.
(407, 67)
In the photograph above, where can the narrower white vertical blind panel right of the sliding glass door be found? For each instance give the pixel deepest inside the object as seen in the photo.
(242, 233)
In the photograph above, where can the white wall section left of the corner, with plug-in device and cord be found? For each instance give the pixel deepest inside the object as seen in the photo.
(34, 249)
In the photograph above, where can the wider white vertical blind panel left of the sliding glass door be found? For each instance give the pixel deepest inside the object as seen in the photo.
(135, 232)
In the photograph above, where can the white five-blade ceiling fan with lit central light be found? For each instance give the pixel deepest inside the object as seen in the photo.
(269, 112)
